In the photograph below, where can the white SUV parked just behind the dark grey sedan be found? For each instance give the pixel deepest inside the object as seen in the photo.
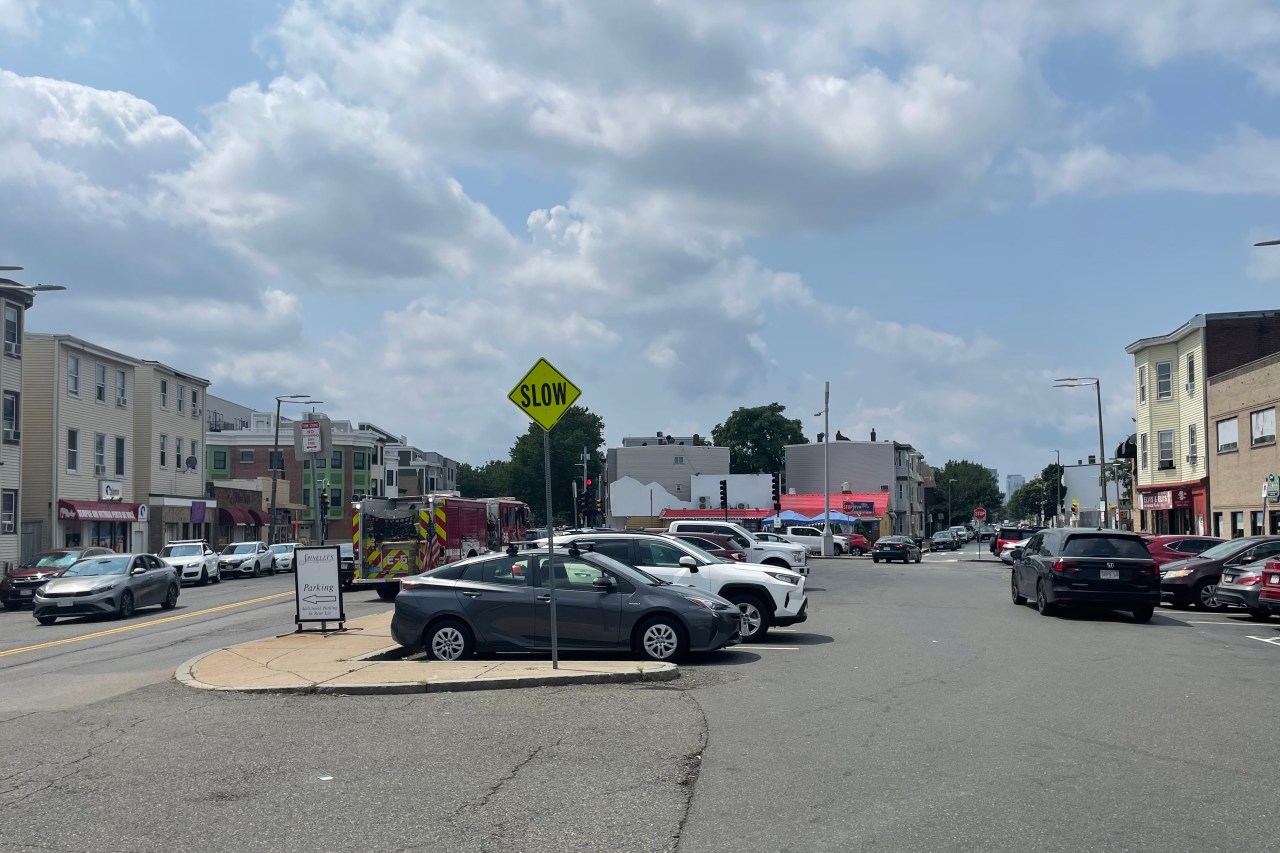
(766, 595)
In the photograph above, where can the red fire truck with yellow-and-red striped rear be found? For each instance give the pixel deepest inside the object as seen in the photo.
(394, 539)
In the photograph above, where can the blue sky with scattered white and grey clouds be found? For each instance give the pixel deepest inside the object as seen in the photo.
(399, 207)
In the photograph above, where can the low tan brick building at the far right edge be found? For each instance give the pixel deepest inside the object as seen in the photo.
(1242, 414)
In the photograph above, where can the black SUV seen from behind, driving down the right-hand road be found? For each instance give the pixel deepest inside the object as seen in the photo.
(1087, 568)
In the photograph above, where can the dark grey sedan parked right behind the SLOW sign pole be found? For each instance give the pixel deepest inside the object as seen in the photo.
(501, 603)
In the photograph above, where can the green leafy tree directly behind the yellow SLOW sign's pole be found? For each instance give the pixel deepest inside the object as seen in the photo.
(579, 428)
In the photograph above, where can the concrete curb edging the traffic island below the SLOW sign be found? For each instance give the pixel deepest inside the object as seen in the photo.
(665, 673)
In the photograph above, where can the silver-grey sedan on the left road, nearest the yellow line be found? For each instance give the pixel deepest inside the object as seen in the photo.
(117, 583)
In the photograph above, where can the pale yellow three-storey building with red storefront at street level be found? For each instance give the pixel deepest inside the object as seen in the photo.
(1172, 421)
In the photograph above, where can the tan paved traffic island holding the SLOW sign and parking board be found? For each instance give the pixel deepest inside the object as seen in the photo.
(339, 663)
